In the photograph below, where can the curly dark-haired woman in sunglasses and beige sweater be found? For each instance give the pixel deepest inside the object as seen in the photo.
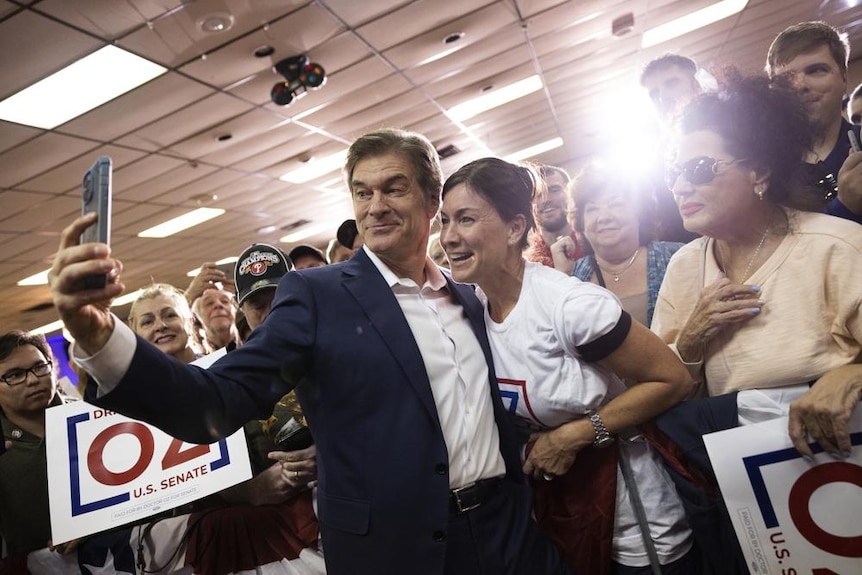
(764, 309)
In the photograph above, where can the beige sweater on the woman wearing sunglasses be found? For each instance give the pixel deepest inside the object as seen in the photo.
(810, 323)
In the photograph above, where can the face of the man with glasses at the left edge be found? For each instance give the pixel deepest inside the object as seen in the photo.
(35, 393)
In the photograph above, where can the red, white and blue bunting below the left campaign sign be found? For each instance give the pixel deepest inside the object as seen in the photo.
(272, 539)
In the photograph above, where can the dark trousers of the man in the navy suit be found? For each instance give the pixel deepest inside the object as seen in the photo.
(500, 538)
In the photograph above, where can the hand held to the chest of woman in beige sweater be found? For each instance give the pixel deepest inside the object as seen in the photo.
(721, 304)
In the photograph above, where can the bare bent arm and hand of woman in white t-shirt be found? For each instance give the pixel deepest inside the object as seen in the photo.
(661, 381)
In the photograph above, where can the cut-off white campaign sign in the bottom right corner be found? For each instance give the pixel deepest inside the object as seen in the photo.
(791, 516)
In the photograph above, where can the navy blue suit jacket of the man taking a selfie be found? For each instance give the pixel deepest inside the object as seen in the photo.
(338, 335)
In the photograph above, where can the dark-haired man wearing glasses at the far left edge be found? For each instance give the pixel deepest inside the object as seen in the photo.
(28, 386)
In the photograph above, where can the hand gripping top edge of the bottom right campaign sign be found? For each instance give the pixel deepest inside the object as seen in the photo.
(824, 411)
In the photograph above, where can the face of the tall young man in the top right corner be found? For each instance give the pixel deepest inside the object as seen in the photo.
(821, 84)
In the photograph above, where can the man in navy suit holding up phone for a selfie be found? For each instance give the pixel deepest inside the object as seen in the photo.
(417, 463)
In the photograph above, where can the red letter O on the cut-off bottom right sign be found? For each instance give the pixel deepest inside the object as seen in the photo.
(801, 493)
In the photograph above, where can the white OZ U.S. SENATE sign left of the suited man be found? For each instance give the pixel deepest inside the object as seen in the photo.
(106, 470)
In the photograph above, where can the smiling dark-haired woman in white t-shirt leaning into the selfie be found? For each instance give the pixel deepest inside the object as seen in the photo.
(560, 349)
